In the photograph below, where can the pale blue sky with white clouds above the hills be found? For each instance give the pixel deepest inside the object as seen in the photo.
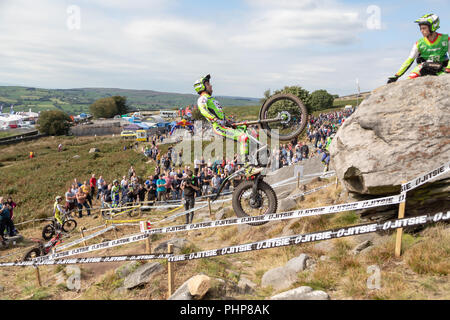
(247, 46)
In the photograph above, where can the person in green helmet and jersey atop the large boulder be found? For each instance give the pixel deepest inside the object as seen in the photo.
(433, 47)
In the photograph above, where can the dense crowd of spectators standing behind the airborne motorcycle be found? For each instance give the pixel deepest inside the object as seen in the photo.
(171, 181)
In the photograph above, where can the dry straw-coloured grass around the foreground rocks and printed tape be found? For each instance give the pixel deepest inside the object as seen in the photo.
(421, 273)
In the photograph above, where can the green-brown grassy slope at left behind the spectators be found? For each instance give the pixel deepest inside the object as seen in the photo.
(34, 183)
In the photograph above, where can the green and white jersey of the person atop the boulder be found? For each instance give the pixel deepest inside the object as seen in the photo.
(435, 51)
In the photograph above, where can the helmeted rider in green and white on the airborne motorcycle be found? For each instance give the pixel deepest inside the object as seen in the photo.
(211, 109)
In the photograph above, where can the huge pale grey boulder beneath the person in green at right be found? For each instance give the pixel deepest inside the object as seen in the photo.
(399, 132)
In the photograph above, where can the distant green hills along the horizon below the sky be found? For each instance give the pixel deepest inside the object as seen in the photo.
(75, 101)
